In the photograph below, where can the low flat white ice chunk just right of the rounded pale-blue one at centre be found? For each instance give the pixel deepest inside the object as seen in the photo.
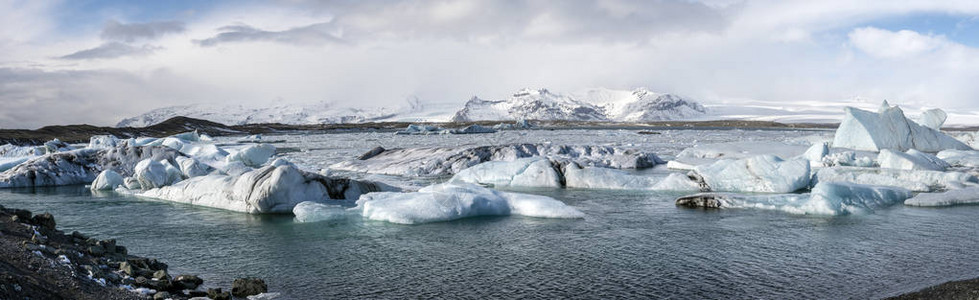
(604, 178)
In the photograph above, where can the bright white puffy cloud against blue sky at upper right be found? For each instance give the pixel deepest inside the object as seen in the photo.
(894, 44)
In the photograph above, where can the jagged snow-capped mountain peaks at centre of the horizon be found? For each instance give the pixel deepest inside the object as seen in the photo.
(639, 105)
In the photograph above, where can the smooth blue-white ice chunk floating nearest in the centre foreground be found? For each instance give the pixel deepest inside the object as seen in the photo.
(451, 201)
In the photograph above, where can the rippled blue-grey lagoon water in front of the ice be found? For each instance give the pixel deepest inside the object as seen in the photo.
(630, 245)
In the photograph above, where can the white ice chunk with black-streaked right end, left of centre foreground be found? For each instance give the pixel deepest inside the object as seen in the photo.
(270, 189)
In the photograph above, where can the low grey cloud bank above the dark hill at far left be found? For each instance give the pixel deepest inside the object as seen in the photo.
(33, 97)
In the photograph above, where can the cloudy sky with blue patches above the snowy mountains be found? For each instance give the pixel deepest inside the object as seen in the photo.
(97, 62)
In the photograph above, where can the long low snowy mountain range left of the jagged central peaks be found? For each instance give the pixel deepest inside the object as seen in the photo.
(296, 114)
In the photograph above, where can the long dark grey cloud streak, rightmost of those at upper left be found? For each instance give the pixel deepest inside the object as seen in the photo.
(309, 35)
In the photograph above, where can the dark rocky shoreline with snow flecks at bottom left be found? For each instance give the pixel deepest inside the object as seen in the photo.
(37, 261)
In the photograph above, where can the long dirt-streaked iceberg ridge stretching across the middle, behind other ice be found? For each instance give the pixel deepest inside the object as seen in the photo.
(450, 160)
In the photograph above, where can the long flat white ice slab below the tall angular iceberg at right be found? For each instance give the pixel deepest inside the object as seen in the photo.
(914, 180)
